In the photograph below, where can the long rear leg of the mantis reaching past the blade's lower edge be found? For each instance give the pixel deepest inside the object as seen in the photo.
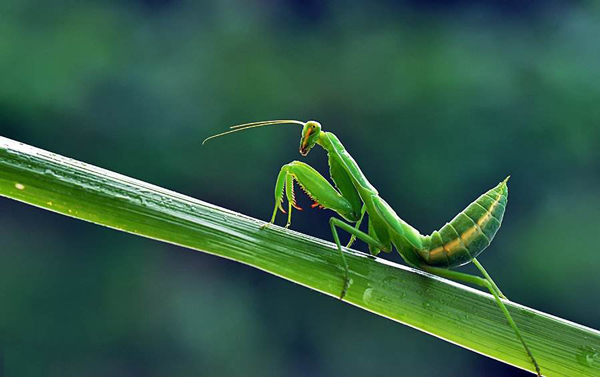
(491, 286)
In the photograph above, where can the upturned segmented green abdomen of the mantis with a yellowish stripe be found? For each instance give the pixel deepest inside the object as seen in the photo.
(469, 233)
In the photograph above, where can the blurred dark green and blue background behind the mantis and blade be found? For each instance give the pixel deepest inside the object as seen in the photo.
(438, 101)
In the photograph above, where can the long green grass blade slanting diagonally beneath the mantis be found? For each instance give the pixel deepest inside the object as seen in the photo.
(450, 311)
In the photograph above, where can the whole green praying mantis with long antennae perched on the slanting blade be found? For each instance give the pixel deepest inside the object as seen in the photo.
(352, 197)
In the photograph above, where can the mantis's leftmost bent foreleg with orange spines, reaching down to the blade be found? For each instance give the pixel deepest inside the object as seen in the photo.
(316, 187)
